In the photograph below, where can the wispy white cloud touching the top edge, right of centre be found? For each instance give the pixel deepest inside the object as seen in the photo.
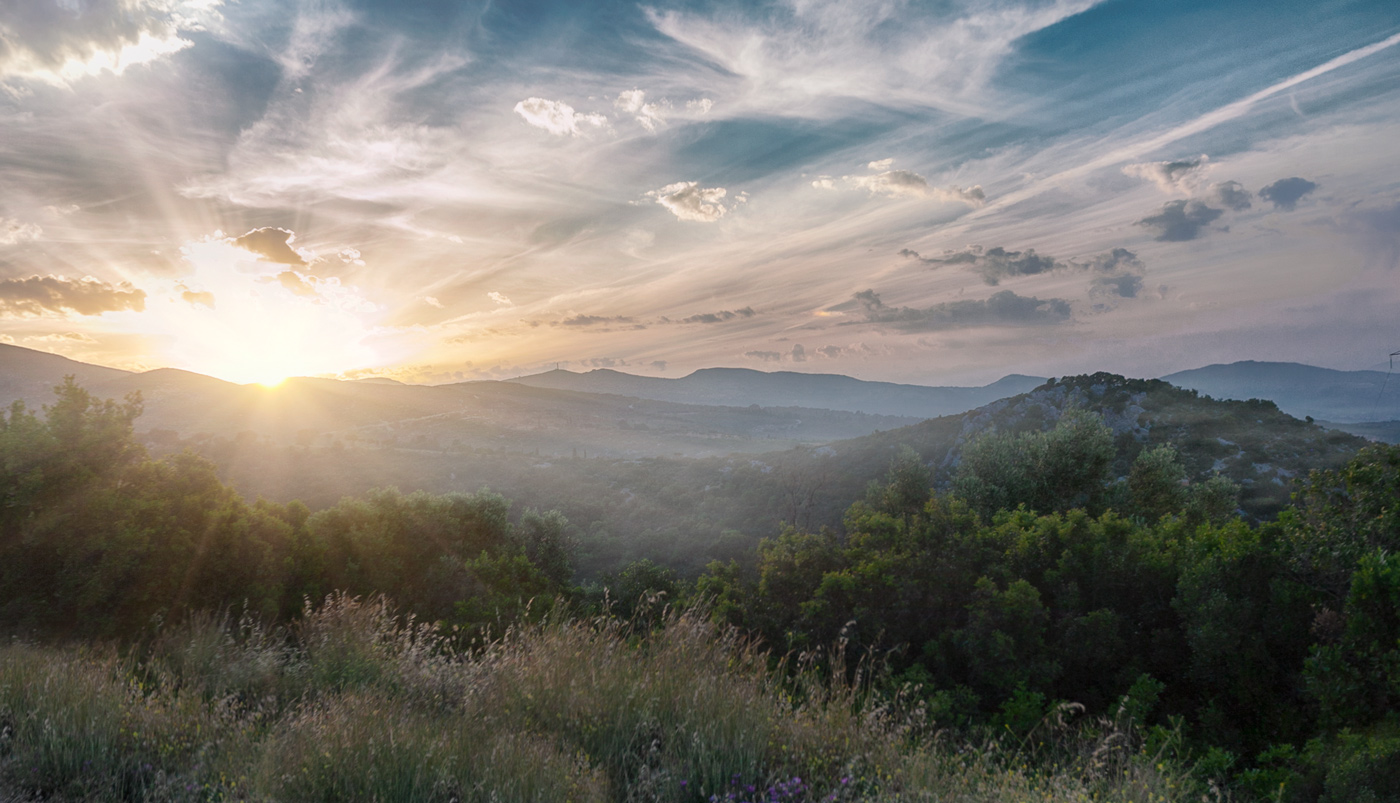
(786, 59)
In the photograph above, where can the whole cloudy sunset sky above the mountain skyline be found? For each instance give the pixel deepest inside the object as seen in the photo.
(939, 194)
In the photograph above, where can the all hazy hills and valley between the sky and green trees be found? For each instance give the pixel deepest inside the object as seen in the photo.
(619, 464)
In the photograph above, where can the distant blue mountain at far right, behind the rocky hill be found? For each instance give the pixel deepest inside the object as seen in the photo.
(1326, 395)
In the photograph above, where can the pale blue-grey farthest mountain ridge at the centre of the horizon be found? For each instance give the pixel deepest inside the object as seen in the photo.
(744, 387)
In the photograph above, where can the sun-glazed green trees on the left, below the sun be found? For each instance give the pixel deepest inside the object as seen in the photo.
(99, 541)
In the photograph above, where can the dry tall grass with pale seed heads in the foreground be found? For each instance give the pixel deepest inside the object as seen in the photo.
(359, 704)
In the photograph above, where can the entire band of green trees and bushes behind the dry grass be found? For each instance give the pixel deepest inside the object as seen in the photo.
(1046, 574)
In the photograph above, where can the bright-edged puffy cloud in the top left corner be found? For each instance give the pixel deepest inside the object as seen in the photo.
(59, 43)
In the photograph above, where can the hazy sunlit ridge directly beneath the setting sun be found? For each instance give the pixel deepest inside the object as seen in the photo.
(185, 409)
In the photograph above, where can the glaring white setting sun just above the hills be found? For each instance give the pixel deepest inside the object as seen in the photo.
(248, 321)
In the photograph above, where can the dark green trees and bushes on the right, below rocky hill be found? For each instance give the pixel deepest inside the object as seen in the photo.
(1275, 646)
